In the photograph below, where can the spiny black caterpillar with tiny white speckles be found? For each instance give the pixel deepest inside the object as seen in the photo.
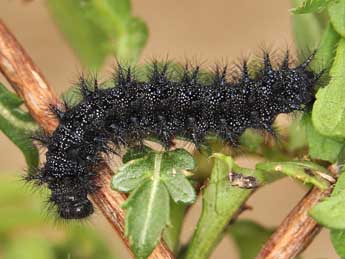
(162, 107)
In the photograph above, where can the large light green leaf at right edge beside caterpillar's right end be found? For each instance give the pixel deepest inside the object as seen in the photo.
(329, 108)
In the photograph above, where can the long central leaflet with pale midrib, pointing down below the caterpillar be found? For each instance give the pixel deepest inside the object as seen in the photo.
(147, 215)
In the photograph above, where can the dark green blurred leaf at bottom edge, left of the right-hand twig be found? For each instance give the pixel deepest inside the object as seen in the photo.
(249, 237)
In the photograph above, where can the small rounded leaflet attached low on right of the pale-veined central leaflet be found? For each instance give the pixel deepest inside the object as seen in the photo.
(179, 187)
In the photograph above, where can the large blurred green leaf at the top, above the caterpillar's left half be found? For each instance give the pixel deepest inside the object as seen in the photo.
(98, 28)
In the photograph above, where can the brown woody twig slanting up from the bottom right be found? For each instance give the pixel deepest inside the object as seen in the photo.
(297, 230)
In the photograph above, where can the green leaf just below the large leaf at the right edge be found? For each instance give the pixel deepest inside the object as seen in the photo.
(321, 147)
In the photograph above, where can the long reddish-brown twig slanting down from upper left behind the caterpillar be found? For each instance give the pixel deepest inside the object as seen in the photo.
(29, 83)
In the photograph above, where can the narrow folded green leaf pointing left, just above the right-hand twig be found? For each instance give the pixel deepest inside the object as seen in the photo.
(304, 171)
